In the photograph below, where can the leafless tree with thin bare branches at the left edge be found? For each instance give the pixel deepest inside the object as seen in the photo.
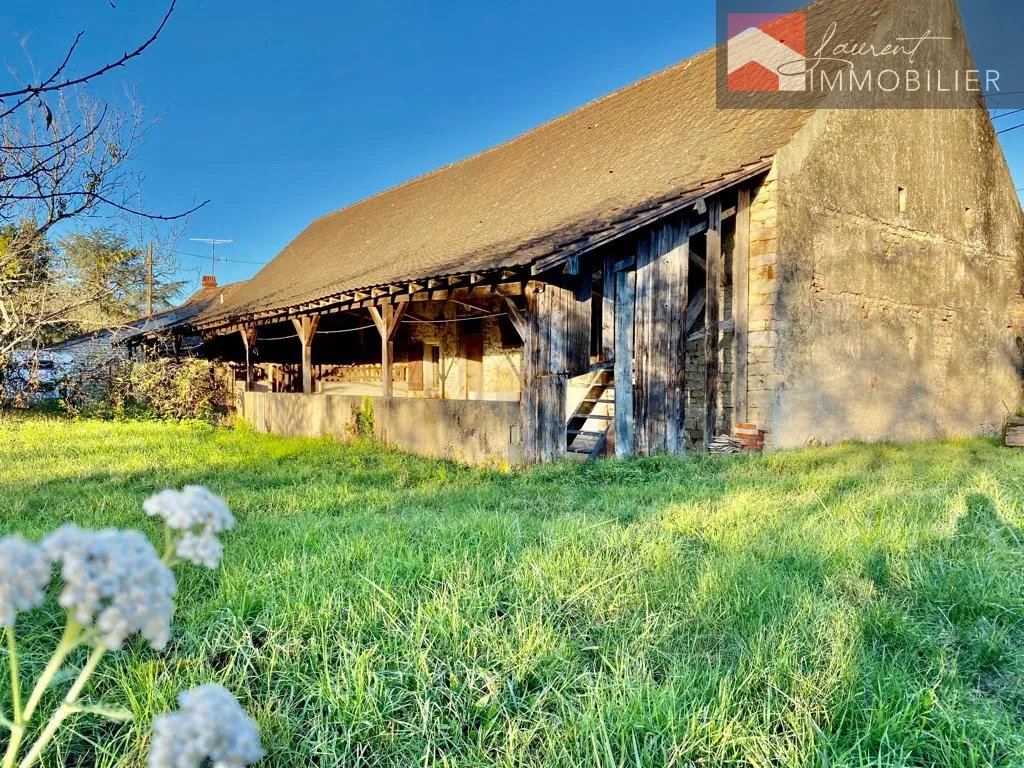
(65, 155)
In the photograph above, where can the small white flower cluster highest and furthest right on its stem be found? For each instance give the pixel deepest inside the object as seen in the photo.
(198, 517)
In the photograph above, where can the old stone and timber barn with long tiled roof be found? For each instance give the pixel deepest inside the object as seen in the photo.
(650, 274)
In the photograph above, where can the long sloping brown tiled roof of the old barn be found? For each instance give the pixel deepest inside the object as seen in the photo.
(553, 188)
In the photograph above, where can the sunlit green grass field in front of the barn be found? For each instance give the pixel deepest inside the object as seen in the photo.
(846, 607)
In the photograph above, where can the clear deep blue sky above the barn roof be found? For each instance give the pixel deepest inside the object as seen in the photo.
(280, 113)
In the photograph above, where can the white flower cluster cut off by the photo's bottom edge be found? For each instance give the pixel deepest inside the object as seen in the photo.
(211, 727)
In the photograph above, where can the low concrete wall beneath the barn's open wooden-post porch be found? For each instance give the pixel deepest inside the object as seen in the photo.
(471, 432)
